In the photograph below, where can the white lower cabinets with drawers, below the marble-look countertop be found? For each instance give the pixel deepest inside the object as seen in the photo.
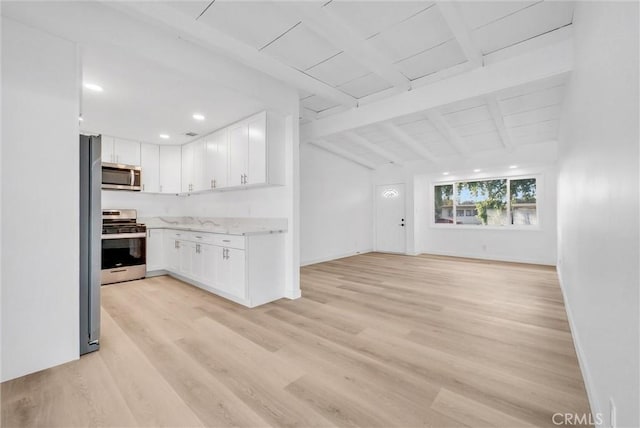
(248, 270)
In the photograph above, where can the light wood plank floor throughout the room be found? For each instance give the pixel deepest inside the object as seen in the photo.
(376, 341)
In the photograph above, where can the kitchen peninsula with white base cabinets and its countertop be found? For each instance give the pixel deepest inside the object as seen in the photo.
(241, 259)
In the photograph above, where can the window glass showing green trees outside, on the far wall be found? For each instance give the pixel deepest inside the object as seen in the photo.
(496, 202)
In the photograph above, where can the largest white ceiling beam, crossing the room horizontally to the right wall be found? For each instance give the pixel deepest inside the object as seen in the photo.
(550, 61)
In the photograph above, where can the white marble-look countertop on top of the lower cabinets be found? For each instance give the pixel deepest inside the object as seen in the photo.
(224, 225)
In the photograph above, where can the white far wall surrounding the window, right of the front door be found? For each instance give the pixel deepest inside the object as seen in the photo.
(537, 245)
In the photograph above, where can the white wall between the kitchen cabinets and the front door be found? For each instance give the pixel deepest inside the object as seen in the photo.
(335, 205)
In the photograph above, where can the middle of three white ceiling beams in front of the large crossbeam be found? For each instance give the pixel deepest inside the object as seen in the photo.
(333, 28)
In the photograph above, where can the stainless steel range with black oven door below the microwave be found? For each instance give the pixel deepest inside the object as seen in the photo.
(124, 246)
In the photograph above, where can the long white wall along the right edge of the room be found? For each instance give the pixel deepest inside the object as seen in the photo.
(598, 205)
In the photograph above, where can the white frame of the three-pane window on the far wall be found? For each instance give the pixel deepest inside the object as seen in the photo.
(519, 227)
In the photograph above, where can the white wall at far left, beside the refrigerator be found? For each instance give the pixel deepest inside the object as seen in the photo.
(40, 242)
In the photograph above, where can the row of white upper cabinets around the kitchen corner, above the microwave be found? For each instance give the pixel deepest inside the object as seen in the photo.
(248, 153)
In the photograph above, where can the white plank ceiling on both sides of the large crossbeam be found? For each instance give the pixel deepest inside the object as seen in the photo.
(372, 50)
